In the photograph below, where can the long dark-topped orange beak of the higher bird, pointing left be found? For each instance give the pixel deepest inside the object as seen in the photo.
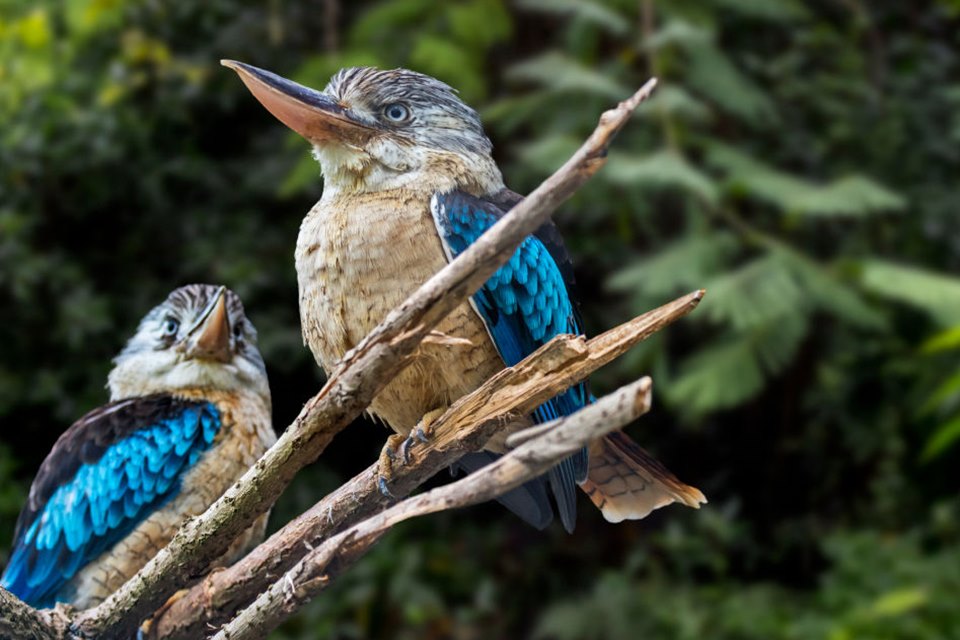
(311, 113)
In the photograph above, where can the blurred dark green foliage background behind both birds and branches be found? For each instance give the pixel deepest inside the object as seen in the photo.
(800, 161)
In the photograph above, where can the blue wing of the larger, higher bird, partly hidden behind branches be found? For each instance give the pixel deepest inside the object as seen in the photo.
(524, 305)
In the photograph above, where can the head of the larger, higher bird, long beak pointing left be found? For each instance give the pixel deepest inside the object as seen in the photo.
(374, 129)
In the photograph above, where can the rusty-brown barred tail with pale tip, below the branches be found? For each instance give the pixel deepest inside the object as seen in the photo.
(627, 483)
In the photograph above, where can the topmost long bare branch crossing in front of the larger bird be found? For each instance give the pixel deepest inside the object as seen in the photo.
(361, 374)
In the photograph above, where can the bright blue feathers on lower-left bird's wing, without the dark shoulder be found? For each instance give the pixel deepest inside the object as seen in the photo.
(105, 500)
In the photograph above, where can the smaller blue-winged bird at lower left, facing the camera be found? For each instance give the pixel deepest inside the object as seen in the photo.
(189, 413)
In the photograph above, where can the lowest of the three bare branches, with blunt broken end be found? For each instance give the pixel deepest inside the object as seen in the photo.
(324, 564)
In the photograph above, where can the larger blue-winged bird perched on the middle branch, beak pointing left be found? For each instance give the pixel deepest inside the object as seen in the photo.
(409, 182)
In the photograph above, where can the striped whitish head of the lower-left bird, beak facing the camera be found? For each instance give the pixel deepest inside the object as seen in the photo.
(198, 339)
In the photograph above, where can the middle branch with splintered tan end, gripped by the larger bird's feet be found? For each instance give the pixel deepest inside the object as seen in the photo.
(466, 426)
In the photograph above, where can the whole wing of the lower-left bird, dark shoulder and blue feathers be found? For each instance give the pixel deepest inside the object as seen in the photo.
(105, 475)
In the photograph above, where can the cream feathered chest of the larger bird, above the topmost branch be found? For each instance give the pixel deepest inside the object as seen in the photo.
(357, 258)
